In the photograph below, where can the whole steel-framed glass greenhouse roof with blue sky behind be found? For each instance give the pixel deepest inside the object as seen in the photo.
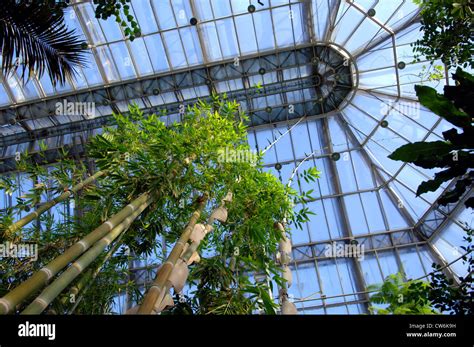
(363, 195)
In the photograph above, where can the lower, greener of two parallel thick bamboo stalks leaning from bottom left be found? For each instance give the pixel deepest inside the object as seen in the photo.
(58, 285)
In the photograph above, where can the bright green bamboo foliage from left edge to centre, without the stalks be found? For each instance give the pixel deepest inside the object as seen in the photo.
(177, 164)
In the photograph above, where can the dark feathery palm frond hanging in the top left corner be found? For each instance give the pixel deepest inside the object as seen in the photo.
(35, 35)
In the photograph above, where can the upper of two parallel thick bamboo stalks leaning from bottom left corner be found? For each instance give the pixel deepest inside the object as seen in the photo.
(41, 277)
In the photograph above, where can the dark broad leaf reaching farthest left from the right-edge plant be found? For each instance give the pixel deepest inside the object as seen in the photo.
(418, 150)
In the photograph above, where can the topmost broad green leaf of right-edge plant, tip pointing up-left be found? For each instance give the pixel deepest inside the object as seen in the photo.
(442, 106)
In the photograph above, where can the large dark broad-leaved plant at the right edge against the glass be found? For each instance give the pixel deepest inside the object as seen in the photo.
(455, 154)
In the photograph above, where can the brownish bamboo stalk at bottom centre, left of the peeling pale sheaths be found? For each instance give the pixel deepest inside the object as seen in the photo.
(159, 283)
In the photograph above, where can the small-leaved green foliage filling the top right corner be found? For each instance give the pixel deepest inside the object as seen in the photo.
(446, 27)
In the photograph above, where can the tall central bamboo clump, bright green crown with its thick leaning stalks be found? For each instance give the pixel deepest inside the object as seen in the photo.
(178, 163)
